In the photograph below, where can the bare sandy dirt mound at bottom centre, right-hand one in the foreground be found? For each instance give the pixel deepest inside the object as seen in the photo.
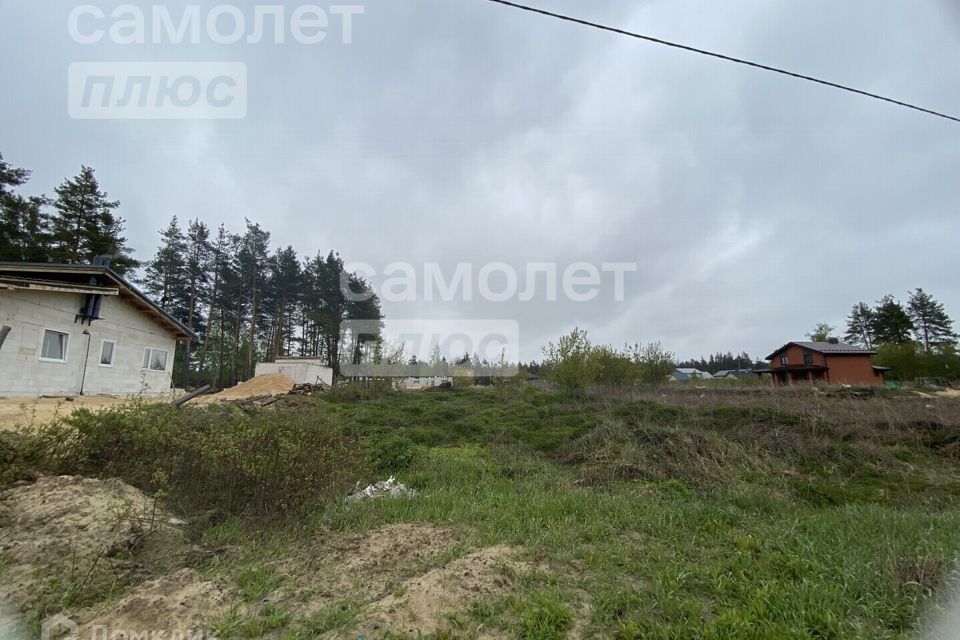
(422, 605)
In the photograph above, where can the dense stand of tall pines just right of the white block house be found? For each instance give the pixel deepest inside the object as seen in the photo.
(250, 304)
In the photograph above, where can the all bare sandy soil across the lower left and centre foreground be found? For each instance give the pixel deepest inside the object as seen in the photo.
(408, 578)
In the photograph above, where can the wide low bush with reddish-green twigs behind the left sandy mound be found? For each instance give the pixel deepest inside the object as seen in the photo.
(269, 462)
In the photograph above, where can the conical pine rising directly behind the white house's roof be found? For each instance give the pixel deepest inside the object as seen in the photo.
(85, 225)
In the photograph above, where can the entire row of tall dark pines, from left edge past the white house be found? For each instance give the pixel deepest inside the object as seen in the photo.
(245, 301)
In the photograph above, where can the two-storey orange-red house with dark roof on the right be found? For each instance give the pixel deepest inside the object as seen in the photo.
(831, 362)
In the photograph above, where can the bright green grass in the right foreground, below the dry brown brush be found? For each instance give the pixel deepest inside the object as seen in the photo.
(656, 560)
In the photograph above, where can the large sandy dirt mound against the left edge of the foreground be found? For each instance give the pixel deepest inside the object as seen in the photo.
(76, 529)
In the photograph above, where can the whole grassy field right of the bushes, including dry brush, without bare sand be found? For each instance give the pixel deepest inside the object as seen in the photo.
(640, 519)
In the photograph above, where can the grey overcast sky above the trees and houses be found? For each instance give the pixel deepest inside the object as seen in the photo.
(463, 131)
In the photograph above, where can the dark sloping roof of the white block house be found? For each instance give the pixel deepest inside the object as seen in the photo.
(75, 278)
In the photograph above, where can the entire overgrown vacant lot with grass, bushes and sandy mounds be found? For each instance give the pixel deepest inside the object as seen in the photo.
(654, 514)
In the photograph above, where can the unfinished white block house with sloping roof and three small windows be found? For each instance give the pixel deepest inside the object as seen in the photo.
(81, 329)
